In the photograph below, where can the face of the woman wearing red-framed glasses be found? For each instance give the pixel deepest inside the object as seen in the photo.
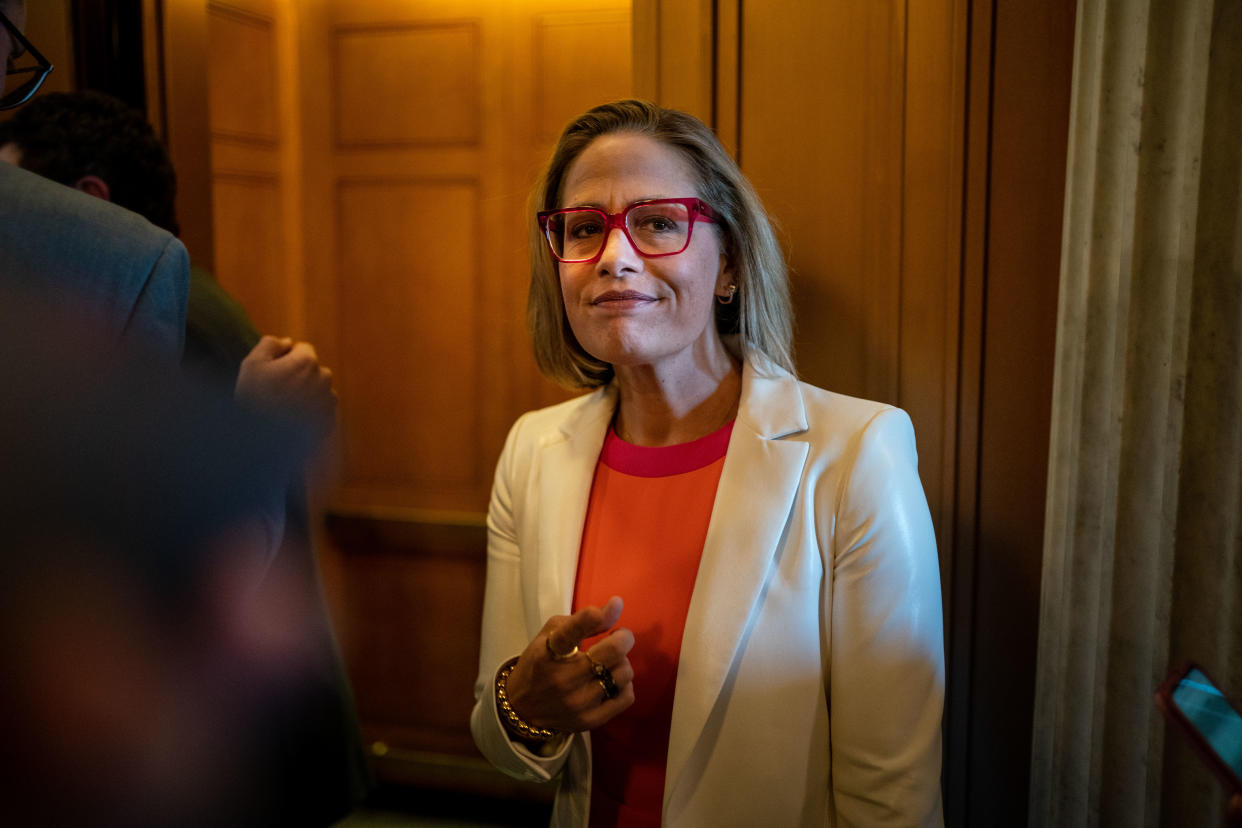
(624, 308)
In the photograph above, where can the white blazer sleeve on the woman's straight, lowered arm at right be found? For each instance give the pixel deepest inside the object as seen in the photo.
(886, 678)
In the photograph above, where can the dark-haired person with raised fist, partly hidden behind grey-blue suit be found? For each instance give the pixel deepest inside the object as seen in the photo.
(99, 146)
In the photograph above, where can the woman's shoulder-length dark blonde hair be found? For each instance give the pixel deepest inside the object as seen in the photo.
(761, 315)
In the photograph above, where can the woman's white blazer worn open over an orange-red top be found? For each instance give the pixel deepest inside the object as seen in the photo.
(819, 589)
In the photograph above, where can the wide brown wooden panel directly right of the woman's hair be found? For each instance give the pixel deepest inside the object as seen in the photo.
(834, 183)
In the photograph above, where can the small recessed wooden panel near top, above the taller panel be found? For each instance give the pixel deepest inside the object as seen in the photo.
(407, 85)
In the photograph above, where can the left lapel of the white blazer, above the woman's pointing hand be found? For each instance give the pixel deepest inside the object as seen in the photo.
(569, 455)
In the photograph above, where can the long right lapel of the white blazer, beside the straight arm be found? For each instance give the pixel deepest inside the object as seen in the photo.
(758, 485)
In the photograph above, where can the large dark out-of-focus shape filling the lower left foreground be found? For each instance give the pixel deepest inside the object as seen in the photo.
(147, 635)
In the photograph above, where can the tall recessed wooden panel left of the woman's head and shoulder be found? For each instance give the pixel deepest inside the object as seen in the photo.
(409, 294)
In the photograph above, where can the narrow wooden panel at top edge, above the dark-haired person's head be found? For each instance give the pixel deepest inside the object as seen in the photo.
(242, 69)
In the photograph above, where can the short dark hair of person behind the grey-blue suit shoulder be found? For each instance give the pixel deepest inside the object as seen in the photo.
(65, 136)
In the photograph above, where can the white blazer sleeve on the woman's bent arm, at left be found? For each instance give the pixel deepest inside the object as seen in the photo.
(505, 632)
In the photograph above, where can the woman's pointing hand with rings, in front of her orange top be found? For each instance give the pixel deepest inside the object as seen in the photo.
(567, 696)
